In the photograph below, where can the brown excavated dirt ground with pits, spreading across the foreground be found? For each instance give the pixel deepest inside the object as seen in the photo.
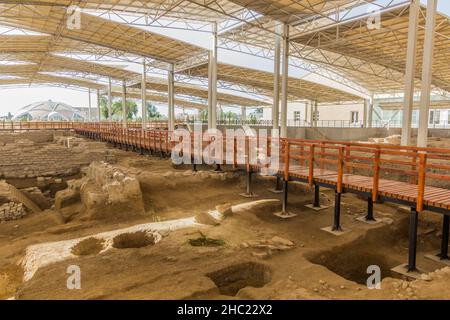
(240, 266)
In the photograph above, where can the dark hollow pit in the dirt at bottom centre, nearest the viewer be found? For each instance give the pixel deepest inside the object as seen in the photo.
(236, 277)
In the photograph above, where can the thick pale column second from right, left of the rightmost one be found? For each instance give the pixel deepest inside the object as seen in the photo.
(408, 100)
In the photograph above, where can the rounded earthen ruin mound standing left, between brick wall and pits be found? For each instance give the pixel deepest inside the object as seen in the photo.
(105, 192)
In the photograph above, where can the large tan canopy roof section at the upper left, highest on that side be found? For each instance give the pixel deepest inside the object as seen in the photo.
(52, 20)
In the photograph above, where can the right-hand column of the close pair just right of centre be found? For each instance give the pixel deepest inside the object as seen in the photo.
(284, 82)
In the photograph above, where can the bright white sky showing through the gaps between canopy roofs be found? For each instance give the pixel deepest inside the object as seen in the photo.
(15, 98)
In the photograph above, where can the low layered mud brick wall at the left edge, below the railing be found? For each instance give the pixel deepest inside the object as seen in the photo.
(24, 158)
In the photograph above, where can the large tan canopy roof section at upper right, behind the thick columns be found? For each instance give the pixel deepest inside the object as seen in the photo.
(374, 58)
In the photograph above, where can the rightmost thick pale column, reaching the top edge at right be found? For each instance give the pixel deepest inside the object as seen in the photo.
(427, 71)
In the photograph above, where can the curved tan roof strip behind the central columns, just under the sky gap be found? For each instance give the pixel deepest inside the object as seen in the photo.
(263, 81)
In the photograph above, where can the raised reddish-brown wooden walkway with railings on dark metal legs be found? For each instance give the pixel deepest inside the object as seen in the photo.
(416, 177)
